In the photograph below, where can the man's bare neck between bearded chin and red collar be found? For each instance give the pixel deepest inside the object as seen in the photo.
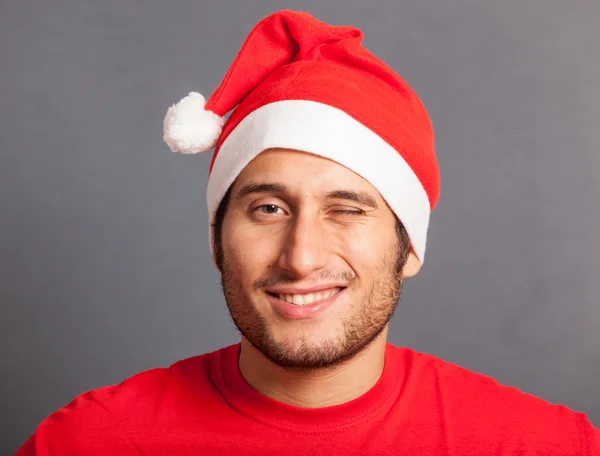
(314, 388)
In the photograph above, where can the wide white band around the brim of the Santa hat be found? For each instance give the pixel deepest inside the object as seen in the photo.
(329, 132)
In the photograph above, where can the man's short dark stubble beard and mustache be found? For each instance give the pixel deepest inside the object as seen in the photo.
(367, 318)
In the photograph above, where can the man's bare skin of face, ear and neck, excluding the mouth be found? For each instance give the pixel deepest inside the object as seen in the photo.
(285, 226)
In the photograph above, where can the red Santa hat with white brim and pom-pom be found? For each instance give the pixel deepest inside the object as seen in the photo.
(298, 83)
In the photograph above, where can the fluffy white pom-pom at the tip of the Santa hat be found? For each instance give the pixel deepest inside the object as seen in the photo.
(189, 128)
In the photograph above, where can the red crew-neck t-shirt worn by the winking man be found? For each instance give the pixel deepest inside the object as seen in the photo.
(421, 405)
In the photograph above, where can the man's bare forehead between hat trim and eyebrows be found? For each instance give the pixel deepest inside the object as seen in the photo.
(302, 171)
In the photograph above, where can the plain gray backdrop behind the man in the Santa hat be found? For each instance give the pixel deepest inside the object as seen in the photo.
(105, 267)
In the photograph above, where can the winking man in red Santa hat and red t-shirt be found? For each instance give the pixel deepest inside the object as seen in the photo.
(319, 197)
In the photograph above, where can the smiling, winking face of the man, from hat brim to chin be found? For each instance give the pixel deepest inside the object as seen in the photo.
(310, 256)
